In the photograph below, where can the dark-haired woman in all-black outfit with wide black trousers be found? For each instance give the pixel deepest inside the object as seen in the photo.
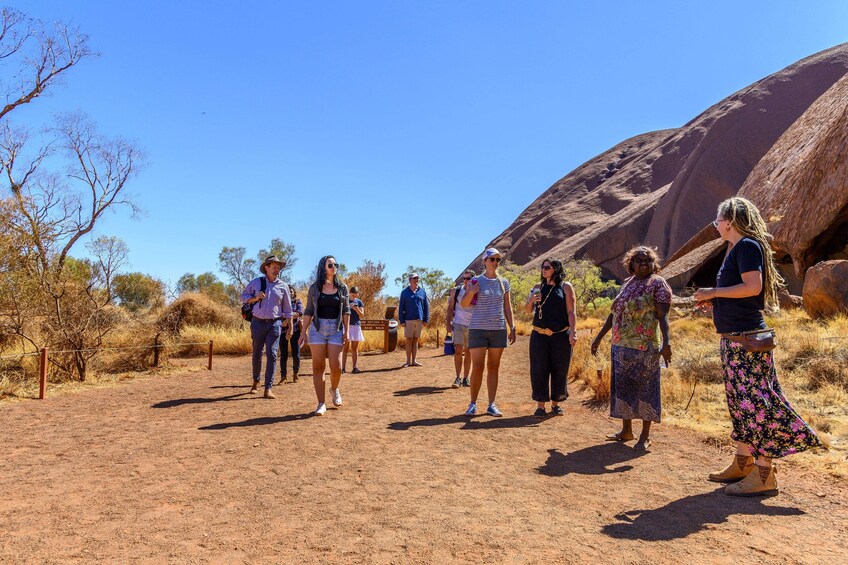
(552, 304)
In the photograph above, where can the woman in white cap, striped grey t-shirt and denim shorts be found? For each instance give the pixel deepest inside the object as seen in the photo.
(490, 326)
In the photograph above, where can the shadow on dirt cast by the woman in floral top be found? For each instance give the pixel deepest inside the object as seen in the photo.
(595, 460)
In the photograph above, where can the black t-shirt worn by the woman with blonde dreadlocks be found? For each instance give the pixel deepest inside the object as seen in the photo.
(739, 314)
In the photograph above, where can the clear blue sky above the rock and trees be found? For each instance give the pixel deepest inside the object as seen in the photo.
(405, 132)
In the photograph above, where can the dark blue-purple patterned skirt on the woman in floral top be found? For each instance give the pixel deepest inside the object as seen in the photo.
(635, 384)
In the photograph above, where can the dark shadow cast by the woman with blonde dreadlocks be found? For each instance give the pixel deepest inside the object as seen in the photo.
(688, 515)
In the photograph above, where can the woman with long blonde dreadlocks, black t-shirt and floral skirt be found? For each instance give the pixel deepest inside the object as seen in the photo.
(765, 426)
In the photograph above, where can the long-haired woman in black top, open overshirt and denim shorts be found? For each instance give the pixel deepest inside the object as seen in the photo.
(327, 316)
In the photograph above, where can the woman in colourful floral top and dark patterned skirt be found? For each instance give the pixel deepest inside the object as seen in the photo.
(639, 323)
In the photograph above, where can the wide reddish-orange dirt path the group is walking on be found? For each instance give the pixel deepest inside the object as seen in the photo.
(191, 468)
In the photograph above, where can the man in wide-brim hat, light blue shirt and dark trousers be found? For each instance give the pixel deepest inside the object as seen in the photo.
(270, 307)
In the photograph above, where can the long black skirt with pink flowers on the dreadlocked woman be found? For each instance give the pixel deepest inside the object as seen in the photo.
(762, 417)
